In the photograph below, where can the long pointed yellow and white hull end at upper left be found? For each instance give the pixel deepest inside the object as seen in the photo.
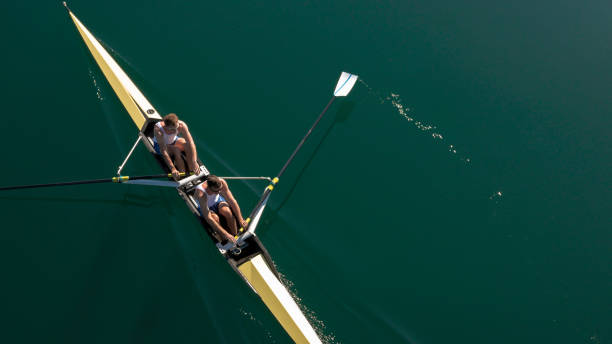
(132, 99)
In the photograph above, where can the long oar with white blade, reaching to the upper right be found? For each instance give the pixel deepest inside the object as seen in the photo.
(343, 87)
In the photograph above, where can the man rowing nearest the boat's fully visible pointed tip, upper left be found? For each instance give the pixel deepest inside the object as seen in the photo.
(171, 146)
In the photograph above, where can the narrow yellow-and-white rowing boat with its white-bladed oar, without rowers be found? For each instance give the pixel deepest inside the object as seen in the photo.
(248, 257)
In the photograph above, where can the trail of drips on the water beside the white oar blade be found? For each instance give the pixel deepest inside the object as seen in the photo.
(403, 110)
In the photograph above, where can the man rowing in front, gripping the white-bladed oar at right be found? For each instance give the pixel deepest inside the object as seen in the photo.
(216, 202)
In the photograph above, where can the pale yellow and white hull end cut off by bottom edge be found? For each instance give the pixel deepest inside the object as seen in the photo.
(278, 300)
